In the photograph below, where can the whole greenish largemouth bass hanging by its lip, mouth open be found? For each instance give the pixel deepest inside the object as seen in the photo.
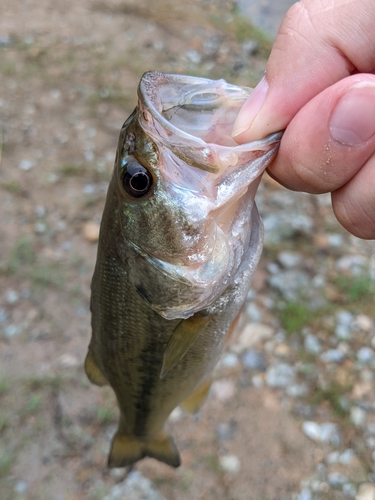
(179, 241)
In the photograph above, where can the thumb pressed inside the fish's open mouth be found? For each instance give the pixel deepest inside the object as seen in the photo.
(318, 44)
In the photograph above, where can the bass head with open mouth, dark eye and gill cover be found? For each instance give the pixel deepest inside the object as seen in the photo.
(184, 191)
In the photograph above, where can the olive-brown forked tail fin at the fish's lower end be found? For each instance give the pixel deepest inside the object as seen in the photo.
(127, 450)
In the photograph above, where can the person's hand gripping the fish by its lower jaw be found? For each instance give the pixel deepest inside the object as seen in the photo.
(320, 87)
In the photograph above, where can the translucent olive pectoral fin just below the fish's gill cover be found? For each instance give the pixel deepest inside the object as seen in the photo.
(182, 338)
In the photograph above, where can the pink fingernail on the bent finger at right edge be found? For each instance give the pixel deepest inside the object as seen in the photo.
(353, 120)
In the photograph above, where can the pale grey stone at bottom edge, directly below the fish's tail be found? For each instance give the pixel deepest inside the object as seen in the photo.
(136, 487)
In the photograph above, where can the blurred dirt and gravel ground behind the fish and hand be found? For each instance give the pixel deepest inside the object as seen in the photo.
(291, 414)
